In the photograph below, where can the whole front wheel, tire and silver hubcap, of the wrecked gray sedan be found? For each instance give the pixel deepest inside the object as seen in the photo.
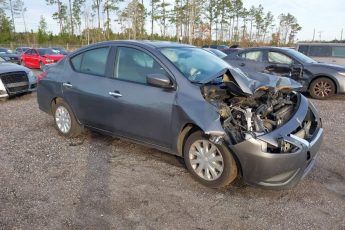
(220, 159)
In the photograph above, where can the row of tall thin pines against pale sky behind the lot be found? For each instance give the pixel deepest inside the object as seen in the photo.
(195, 22)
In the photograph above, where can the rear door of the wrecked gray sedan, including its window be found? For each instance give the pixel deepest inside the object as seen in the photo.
(85, 88)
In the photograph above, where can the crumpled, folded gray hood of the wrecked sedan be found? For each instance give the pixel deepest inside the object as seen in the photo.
(252, 82)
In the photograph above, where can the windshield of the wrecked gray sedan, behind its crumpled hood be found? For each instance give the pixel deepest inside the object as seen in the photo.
(194, 63)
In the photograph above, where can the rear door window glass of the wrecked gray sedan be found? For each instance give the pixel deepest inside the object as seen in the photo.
(92, 61)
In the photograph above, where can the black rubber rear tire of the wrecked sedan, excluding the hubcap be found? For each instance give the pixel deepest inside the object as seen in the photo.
(75, 129)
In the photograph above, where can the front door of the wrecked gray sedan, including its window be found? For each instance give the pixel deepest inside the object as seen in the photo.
(139, 110)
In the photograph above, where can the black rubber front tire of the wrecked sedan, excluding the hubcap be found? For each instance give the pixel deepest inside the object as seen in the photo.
(230, 170)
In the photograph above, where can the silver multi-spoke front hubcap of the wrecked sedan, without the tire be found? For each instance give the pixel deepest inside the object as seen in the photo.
(206, 160)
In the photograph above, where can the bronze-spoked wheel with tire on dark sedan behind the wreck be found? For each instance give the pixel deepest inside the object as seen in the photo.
(322, 88)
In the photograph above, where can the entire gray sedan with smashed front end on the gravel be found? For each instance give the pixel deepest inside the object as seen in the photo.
(185, 101)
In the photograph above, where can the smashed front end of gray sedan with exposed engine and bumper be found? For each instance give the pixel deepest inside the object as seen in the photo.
(274, 132)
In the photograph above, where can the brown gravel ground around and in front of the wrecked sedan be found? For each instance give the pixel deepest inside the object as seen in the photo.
(98, 182)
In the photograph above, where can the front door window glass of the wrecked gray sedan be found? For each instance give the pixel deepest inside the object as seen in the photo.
(134, 65)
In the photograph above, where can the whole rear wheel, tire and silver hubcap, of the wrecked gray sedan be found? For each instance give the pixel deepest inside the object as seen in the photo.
(63, 114)
